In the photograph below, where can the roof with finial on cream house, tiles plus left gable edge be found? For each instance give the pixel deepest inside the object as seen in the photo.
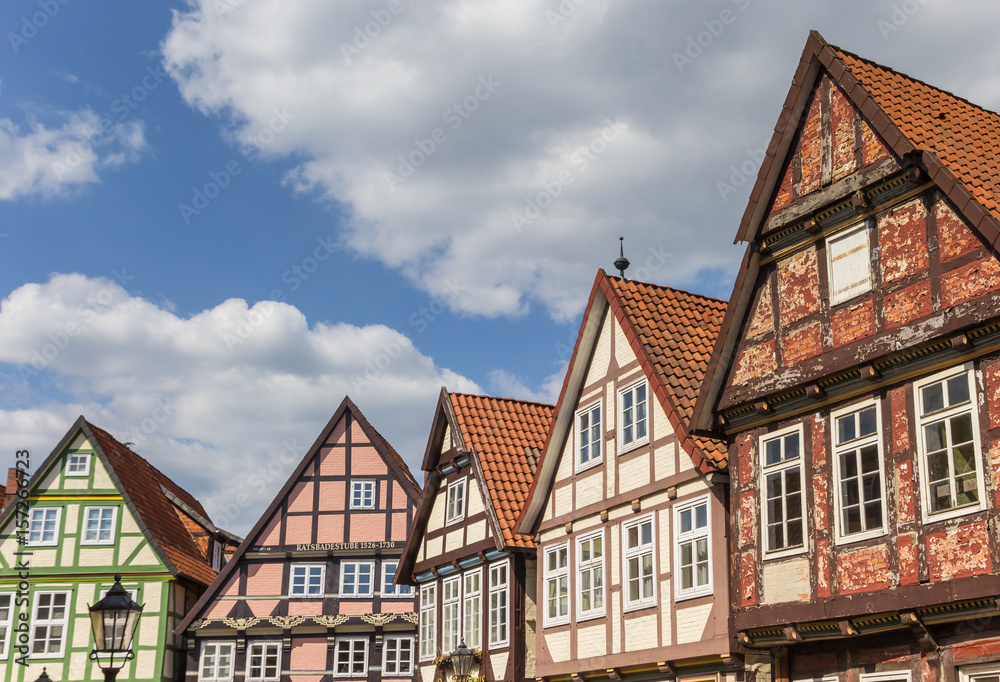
(672, 333)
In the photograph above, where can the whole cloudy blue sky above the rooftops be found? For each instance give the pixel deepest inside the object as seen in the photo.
(432, 189)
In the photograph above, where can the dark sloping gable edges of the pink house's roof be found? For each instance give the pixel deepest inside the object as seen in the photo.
(392, 459)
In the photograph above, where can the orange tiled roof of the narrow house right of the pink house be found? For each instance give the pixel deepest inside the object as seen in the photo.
(507, 435)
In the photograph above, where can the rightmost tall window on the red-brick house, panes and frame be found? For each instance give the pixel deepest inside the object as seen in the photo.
(949, 444)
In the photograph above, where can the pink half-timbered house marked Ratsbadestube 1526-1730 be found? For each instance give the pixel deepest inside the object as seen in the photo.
(310, 594)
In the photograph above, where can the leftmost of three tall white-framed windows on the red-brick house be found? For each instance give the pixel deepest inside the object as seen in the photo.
(782, 485)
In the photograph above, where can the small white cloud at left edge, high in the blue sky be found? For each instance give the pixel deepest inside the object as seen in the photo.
(48, 160)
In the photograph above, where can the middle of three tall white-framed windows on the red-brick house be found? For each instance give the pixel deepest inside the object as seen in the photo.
(858, 458)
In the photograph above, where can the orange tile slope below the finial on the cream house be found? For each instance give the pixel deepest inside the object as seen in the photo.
(678, 330)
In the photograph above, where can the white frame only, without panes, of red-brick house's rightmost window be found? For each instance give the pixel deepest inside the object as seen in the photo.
(972, 407)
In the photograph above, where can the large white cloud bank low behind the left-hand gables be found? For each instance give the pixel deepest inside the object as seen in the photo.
(225, 401)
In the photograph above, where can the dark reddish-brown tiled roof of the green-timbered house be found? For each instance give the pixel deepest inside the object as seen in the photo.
(142, 482)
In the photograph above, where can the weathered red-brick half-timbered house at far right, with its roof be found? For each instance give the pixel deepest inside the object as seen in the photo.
(857, 375)
